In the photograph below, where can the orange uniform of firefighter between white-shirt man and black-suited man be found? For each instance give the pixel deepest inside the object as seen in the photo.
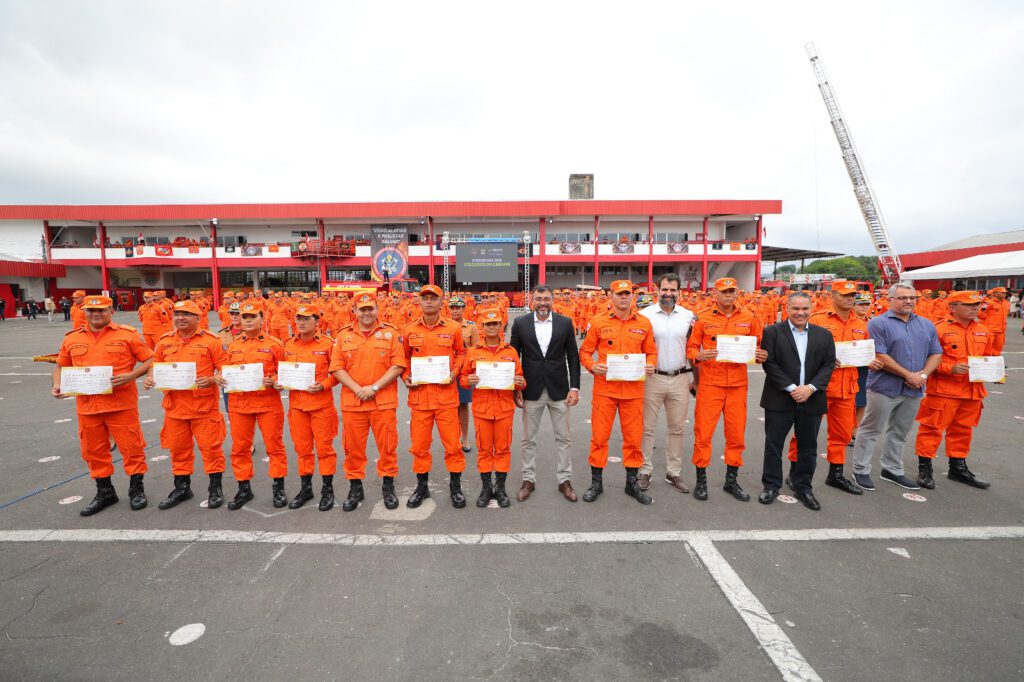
(722, 388)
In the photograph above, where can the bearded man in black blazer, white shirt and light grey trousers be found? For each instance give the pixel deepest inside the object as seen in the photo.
(546, 344)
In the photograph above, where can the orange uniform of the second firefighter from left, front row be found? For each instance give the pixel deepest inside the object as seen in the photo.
(193, 416)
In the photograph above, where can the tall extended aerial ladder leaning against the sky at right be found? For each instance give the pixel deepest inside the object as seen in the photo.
(889, 262)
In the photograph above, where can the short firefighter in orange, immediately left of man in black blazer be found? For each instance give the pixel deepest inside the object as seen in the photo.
(494, 410)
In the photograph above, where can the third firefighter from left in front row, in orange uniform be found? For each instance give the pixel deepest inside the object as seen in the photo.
(247, 409)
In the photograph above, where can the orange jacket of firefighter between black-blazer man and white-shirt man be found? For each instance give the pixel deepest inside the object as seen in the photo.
(610, 334)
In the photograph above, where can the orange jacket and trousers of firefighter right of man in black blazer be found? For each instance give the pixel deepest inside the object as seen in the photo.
(610, 334)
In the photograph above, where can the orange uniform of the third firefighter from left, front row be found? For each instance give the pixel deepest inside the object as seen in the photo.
(247, 409)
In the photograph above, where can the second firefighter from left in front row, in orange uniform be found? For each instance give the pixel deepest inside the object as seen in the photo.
(193, 416)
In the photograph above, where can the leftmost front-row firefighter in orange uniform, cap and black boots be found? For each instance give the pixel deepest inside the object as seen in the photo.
(103, 344)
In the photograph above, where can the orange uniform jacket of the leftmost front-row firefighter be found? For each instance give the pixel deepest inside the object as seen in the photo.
(116, 346)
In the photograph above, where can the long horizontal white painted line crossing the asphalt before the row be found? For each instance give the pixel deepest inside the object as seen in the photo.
(642, 537)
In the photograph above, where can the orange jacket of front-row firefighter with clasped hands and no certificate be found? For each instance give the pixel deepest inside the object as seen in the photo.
(366, 358)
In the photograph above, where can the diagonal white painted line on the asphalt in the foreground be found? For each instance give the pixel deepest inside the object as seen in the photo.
(773, 640)
